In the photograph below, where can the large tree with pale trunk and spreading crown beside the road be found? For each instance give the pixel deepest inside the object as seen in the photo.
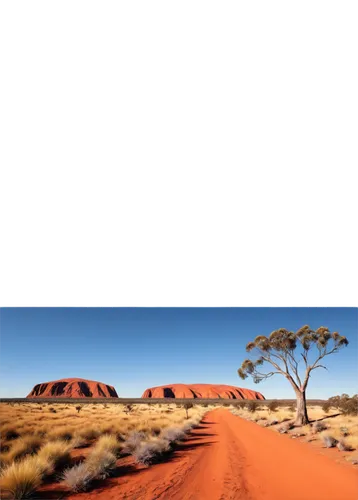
(282, 350)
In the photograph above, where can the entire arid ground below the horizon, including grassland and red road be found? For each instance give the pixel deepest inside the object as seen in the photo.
(247, 450)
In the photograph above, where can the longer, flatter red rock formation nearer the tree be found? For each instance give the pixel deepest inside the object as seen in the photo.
(203, 391)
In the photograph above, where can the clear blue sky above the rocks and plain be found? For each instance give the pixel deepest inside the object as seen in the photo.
(134, 348)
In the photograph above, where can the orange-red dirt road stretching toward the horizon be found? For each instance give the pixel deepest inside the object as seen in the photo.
(228, 458)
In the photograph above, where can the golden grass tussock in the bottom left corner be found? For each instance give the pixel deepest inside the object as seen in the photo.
(20, 479)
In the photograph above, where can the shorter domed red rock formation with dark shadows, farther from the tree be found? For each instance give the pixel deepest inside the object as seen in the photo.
(73, 388)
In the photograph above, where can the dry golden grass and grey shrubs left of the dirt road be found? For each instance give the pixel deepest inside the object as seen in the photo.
(37, 441)
